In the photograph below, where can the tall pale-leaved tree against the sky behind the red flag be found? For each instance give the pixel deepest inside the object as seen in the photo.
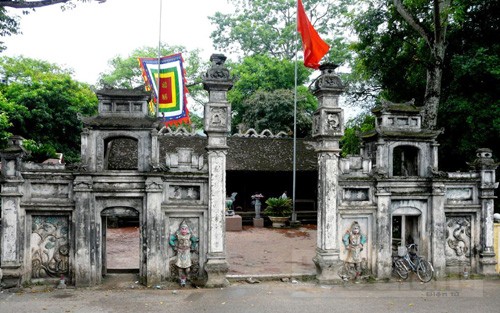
(268, 27)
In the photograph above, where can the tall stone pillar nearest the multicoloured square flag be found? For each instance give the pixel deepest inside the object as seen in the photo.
(217, 120)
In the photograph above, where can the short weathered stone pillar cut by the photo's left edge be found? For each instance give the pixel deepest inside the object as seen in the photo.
(12, 223)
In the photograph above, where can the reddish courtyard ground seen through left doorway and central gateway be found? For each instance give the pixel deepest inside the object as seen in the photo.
(252, 251)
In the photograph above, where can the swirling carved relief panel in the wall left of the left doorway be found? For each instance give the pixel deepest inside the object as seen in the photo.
(49, 246)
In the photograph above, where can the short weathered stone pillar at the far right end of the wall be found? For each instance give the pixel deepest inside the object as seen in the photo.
(486, 167)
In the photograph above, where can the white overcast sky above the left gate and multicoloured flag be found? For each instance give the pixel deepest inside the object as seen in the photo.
(87, 37)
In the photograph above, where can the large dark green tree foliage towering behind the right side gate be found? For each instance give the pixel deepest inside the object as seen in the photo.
(397, 59)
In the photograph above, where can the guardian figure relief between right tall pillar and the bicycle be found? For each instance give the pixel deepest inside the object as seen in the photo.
(353, 241)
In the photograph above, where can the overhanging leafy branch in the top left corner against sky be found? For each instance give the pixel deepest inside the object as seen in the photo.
(9, 22)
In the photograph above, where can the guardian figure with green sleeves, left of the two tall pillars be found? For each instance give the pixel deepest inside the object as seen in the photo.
(183, 243)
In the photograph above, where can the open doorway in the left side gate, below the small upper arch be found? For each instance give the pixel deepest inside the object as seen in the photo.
(121, 240)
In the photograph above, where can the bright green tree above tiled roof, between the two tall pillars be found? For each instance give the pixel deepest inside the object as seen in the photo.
(265, 74)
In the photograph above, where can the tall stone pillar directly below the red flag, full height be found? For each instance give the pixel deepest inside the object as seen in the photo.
(328, 128)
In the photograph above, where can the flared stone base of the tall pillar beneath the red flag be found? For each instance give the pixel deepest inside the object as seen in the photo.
(328, 265)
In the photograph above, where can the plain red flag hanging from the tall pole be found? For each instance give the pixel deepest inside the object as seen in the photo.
(314, 47)
